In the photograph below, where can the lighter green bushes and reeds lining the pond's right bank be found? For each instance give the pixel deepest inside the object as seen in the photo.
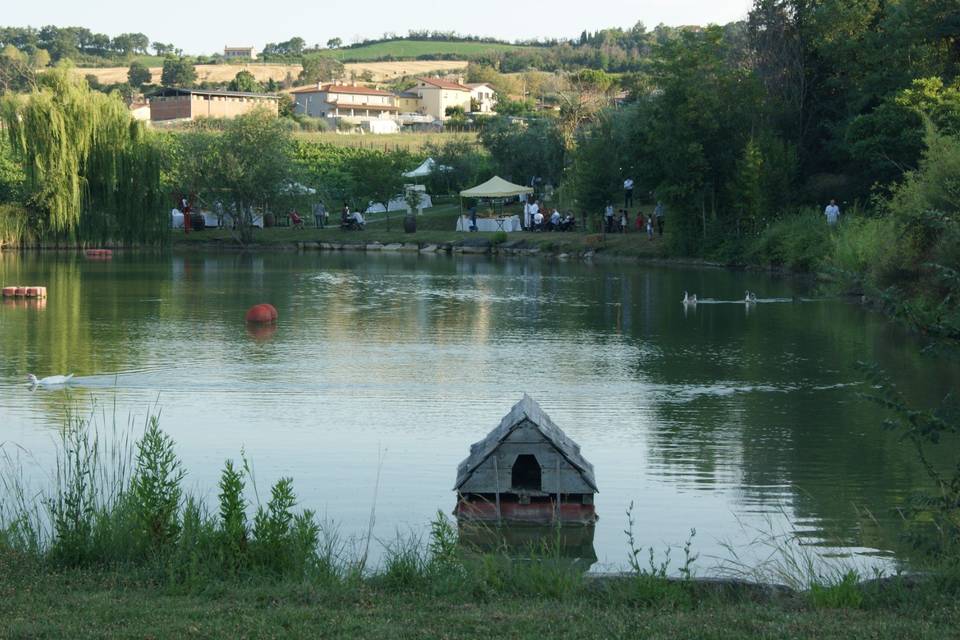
(904, 258)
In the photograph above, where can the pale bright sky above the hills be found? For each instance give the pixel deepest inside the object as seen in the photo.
(205, 27)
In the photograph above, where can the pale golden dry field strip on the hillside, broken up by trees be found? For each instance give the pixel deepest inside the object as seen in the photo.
(381, 71)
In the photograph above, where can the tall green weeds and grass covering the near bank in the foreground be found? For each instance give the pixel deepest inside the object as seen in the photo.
(117, 529)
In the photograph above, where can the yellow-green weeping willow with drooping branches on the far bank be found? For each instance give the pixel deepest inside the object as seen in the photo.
(92, 171)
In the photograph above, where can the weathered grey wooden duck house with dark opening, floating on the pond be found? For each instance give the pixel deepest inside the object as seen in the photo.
(527, 470)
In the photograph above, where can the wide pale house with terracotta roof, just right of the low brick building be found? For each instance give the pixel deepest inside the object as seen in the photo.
(354, 103)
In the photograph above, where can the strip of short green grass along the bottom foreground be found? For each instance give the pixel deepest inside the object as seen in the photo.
(115, 604)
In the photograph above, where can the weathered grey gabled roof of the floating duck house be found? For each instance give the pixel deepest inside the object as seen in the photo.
(524, 413)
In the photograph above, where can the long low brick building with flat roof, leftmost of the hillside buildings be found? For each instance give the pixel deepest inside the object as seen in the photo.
(172, 103)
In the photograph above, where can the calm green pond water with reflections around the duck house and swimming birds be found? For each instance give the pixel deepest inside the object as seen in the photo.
(737, 421)
